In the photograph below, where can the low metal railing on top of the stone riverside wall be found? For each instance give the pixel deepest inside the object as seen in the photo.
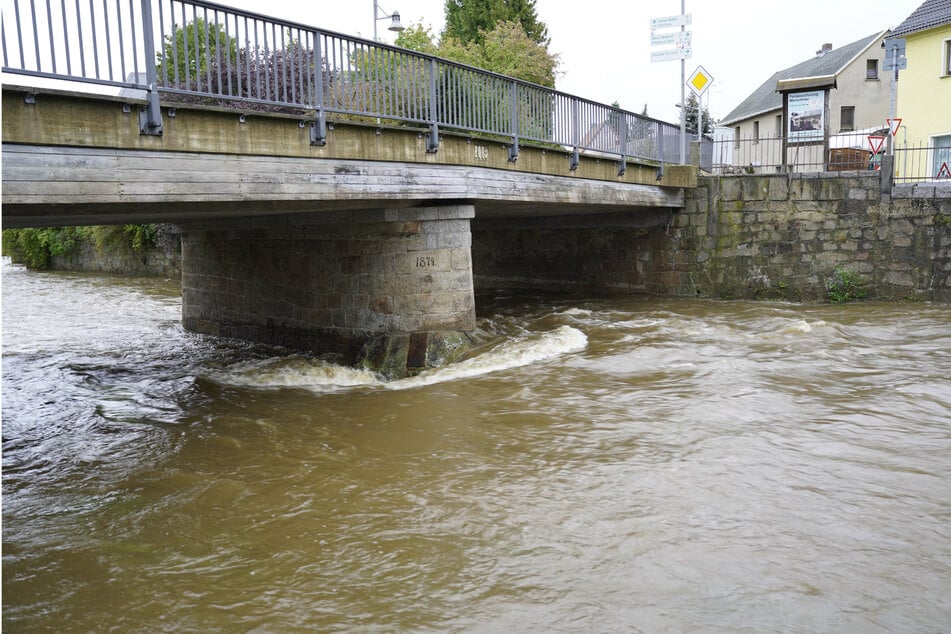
(846, 152)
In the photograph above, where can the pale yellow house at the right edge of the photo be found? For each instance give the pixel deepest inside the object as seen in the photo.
(923, 143)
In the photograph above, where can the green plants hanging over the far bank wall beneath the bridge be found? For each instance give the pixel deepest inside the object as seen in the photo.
(36, 247)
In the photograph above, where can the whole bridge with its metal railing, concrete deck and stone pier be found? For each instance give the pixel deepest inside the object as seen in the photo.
(326, 187)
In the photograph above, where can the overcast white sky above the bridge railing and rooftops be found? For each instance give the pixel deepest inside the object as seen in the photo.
(604, 45)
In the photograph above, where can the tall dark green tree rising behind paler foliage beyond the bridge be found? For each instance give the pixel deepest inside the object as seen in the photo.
(470, 20)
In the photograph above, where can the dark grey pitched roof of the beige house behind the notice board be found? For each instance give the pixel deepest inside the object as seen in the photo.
(765, 98)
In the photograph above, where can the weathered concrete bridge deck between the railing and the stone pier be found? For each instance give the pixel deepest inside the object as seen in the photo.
(74, 158)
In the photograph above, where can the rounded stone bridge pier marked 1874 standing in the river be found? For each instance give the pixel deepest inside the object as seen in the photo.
(386, 289)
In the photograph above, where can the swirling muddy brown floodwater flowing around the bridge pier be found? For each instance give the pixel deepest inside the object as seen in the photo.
(597, 465)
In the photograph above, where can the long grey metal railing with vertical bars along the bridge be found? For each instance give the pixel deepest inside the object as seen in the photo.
(200, 51)
